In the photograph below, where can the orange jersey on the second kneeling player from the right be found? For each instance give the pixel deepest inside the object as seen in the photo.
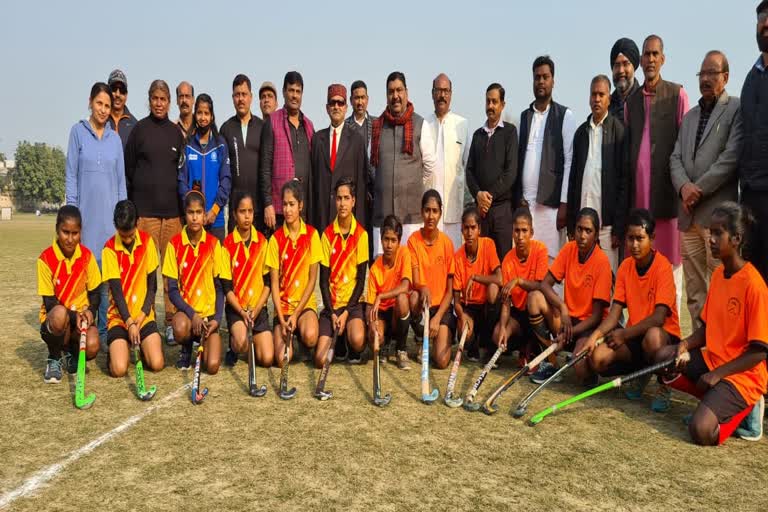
(641, 294)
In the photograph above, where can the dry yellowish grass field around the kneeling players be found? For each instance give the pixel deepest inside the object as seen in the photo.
(235, 452)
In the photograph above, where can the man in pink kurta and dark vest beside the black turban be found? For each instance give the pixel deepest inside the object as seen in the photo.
(653, 115)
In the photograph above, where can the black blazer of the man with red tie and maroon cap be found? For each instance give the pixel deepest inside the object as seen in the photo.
(350, 162)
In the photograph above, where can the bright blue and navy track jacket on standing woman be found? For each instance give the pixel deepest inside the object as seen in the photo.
(209, 172)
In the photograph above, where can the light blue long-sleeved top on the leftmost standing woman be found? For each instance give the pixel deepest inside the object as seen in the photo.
(95, 181)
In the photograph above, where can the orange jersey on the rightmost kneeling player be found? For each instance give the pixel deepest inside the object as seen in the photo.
(735, 315)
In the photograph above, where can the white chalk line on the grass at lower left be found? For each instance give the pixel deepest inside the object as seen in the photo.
(47, 474)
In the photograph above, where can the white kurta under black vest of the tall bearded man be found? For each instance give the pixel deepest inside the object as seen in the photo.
(532, 165)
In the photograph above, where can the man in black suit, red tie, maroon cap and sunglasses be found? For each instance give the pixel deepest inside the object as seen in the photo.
(337, 151)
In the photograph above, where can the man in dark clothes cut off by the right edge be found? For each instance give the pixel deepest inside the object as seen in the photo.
(753, 163)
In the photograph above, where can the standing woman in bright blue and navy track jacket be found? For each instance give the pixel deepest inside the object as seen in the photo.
(206, 166)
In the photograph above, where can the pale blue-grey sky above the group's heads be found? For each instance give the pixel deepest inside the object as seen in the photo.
(54, 51)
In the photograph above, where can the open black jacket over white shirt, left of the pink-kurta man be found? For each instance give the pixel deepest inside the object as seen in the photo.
(613, 183)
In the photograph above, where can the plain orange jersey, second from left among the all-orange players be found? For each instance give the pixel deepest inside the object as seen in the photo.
(435, 263)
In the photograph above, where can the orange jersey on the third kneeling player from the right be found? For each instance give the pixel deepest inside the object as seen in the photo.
(584, 282)
